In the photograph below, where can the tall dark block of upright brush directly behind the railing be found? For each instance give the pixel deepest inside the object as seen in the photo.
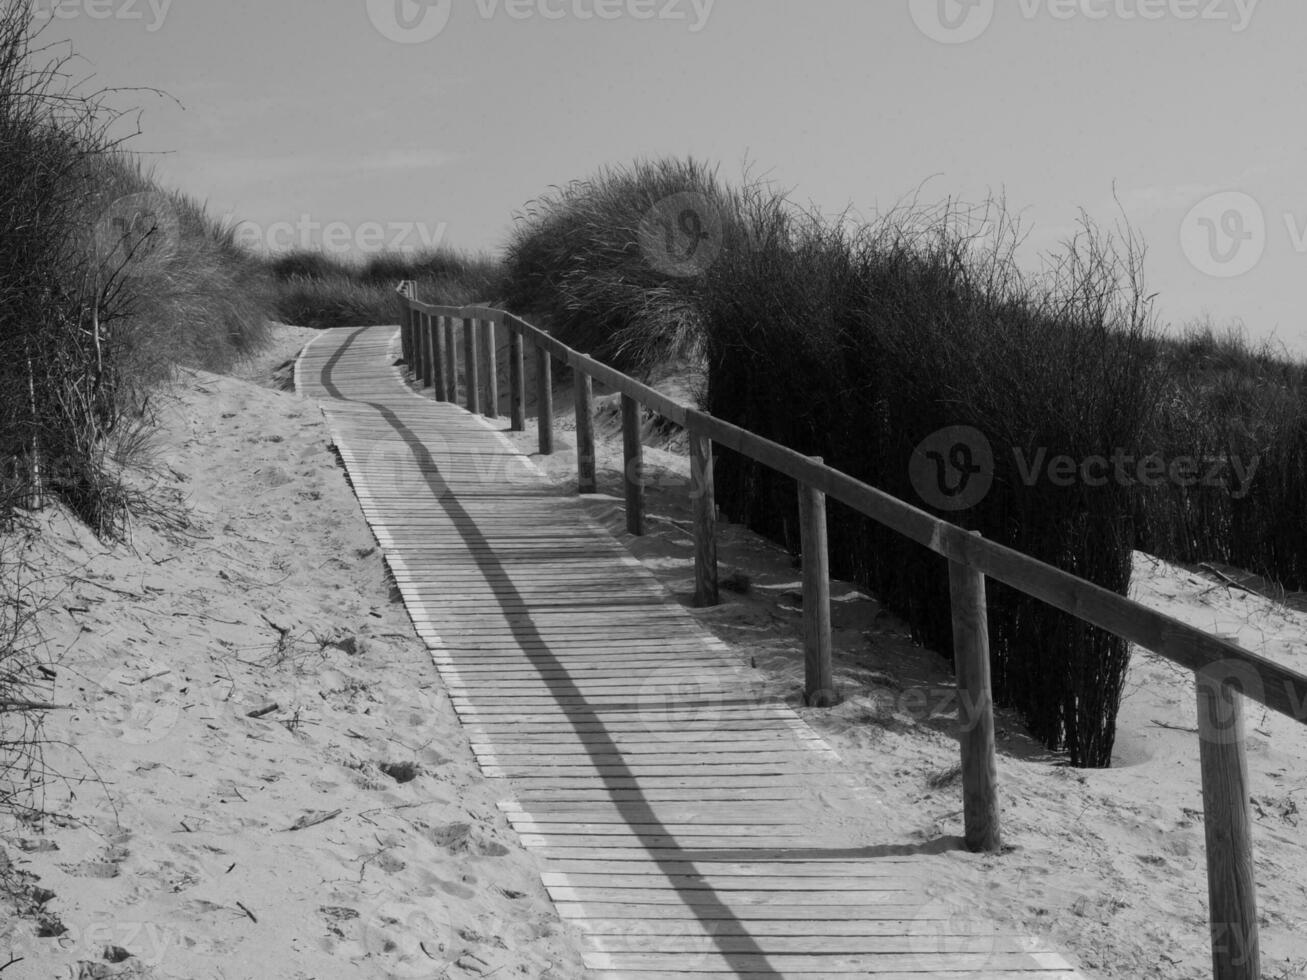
(857, 343)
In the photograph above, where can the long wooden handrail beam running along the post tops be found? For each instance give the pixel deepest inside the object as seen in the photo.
(1283, 689)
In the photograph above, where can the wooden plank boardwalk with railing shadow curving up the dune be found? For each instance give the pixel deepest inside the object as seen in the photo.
(689, 826)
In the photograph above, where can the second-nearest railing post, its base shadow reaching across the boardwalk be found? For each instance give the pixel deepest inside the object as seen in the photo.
(976, 708)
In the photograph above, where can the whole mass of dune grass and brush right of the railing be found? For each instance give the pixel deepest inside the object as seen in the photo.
(858, 342)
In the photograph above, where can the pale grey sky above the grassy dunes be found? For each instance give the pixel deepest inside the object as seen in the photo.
(359, 125)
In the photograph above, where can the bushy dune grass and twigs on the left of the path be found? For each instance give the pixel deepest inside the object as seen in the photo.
(108, 283)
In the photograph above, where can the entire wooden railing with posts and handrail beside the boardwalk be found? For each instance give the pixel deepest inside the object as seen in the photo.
(1223, 670)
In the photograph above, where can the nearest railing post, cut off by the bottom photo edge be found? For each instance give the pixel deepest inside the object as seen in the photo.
(1232, 888)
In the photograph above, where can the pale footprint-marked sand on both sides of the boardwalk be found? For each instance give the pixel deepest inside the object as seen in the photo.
(347, 832)
